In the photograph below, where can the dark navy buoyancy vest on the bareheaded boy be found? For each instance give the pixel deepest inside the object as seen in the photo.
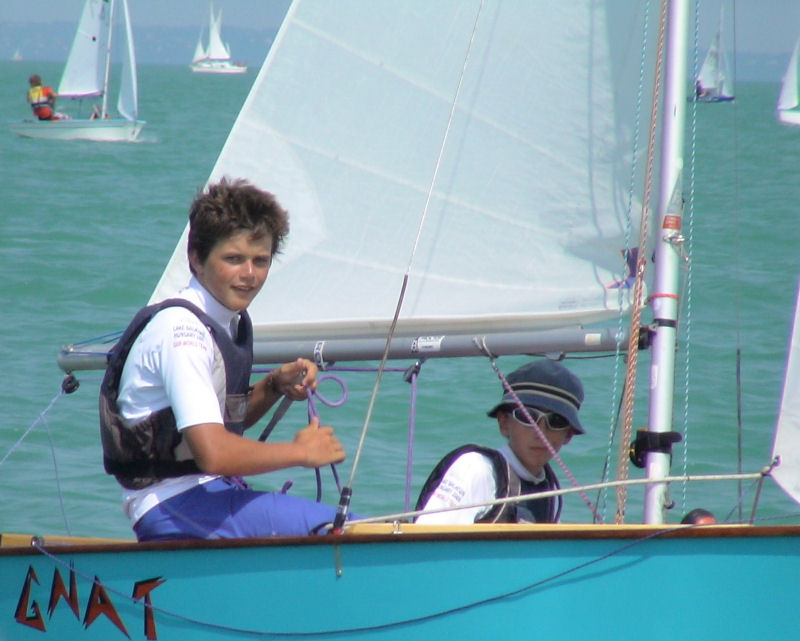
(142, 454)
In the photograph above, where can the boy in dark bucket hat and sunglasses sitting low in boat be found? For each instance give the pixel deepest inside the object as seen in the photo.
(472, 474)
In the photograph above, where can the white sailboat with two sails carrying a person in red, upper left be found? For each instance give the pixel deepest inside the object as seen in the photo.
(86, 78)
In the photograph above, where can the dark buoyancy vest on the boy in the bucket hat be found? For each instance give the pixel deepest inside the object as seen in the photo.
(507, 484)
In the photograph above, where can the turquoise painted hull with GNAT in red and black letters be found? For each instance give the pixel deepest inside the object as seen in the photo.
(415, 587)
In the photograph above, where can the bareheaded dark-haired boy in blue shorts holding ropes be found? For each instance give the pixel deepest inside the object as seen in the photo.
(176, 396)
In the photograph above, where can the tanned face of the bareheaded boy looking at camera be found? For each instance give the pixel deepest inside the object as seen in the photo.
(236, 269)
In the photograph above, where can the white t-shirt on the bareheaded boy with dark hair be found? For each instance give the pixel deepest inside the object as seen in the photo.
(175, 363)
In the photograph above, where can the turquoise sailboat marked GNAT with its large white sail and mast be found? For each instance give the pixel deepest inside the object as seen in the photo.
(508, 214)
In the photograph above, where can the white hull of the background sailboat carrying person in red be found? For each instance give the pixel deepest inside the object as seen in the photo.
(116, 130)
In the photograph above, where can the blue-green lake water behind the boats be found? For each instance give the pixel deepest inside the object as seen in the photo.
(87, 229)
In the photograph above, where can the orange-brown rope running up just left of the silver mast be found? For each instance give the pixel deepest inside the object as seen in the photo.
(633, 340)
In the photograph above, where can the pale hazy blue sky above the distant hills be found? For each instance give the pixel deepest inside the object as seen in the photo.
(762, 26)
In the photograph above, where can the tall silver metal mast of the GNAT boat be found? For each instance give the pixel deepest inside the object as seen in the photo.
(665, 301)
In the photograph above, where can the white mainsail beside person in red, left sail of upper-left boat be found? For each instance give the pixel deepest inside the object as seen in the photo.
(84, 72)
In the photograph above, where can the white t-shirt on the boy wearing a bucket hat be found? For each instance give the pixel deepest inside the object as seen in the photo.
(469, 479)
